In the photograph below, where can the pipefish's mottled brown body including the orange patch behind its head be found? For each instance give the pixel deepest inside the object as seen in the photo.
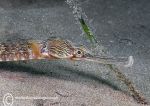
(19, 51)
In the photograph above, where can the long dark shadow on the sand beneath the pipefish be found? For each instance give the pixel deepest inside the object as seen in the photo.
(67, 73)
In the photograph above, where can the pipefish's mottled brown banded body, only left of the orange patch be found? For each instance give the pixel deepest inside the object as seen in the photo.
(13, 52)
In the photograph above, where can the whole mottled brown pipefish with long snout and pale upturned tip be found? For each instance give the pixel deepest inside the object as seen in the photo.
(54, 48)
